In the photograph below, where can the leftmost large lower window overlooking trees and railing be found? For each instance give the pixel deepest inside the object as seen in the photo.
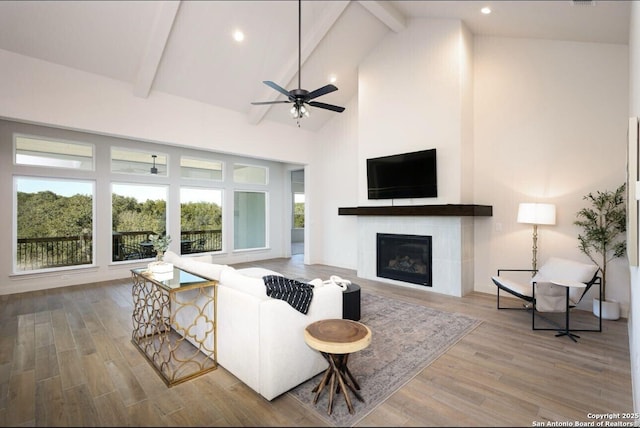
(54, 219)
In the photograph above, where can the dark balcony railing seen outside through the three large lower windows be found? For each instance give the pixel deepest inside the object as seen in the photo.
(43, 253)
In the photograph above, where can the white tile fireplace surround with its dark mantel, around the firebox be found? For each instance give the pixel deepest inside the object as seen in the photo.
(450, 226)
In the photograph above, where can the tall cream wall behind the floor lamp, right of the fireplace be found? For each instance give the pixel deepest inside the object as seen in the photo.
(550, 126)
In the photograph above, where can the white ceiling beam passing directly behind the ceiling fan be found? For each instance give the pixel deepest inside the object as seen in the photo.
(308, 44)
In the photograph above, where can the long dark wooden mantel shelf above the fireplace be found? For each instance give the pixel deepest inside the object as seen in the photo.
(455, 210)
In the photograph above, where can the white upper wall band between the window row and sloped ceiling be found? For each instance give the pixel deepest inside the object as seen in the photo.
(41, 92)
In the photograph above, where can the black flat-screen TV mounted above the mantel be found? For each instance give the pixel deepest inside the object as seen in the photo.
(406, 175)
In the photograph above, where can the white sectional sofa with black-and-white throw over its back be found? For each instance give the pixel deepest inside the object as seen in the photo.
(261, 339)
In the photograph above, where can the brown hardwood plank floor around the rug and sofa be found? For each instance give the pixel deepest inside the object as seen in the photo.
(66, 360)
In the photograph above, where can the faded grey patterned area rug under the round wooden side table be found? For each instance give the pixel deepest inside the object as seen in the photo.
(405, 338)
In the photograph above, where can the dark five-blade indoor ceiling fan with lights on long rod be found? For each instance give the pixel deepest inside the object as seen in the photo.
(299, 97)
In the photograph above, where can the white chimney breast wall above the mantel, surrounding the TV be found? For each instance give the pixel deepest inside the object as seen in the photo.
(411, 97)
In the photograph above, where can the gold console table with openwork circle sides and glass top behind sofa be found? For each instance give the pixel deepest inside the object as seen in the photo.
(162, 303)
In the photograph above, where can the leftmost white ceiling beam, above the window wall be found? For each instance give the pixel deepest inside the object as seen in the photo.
(158, 37)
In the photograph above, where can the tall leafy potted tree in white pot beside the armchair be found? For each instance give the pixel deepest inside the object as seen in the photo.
(602, 238)
